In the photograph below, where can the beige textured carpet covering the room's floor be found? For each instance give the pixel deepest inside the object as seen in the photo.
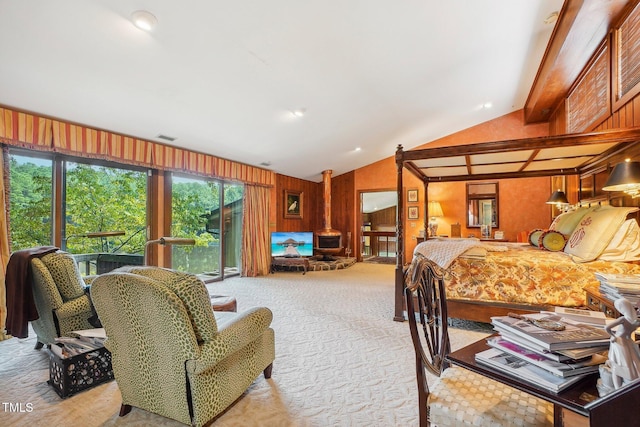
(340, 361)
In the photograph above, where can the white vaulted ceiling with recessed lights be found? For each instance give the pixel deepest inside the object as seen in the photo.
(224, 76)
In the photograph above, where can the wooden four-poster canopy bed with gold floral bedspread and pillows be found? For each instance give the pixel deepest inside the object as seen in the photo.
(588, 156)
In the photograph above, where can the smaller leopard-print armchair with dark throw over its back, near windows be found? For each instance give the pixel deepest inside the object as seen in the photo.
(60, 296)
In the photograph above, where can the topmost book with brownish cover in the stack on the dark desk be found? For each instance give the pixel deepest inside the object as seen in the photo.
(574, 335)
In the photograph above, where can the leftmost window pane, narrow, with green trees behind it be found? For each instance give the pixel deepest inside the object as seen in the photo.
(30, 208)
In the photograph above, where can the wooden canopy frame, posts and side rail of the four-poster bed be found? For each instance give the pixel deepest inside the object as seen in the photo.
(574, 154)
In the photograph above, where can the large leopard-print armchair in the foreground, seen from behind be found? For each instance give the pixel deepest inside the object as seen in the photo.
(171, 355)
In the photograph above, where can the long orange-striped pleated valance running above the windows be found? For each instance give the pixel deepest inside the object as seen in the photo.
(36, 132)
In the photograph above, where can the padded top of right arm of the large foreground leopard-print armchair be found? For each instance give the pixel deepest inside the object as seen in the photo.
(236, 334)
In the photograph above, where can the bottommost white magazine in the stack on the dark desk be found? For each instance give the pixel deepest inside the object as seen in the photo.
(516, 367)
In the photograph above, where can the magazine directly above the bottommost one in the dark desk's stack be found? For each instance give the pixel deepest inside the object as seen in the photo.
(561, 369)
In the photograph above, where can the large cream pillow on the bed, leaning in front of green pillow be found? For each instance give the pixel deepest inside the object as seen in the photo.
(595, 231)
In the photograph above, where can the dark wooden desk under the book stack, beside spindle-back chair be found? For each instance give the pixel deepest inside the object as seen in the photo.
(577, 406)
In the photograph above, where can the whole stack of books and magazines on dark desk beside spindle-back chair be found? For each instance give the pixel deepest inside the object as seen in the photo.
(545, 349)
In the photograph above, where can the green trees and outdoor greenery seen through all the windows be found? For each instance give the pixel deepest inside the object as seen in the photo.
(99, 198)
